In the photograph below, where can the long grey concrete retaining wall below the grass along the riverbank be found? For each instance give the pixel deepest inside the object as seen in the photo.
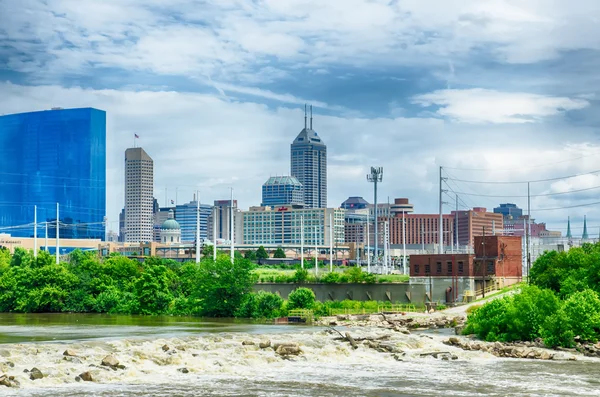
(390, 292)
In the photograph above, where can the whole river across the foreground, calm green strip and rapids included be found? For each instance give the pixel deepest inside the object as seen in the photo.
(219, 365)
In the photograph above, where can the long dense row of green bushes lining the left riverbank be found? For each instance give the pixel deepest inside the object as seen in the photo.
(122, 285)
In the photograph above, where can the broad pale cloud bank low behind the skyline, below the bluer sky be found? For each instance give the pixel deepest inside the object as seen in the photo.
(202, 142)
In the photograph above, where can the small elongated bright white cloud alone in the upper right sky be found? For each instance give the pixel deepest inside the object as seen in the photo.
(488, 106)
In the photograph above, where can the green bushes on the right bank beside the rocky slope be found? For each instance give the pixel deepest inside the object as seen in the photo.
(563, 303)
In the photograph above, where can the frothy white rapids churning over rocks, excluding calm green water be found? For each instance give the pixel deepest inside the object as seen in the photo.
(325, 364)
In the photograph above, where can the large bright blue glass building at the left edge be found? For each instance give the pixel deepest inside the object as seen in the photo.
(49, 157)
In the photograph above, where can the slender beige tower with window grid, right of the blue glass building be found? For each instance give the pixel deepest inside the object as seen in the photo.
(139, 202)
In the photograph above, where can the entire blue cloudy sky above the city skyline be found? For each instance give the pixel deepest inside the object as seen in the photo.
(496, 91)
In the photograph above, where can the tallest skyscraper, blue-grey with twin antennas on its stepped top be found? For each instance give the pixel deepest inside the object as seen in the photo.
(309, 165)
